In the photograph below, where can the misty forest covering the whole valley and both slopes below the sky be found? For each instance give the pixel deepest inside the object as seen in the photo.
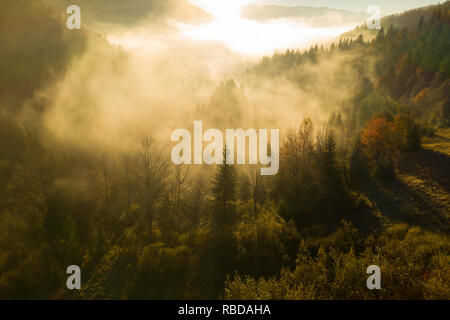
(364, 181)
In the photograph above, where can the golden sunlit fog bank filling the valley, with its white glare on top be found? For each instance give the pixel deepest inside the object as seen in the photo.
(148, 80)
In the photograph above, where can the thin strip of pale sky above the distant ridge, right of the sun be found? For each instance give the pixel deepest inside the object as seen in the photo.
(387, 6)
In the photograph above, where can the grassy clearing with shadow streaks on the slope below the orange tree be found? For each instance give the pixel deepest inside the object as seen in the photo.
(420, 194)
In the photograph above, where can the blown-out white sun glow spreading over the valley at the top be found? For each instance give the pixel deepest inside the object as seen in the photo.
(252, 37)
